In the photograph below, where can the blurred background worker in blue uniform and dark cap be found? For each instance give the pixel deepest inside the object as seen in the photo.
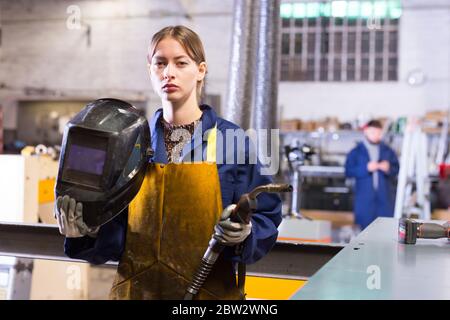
(374, 165)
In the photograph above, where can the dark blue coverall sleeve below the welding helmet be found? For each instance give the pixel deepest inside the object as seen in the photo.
(108, 245)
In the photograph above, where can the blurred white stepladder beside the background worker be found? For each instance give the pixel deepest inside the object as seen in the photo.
(413, 186)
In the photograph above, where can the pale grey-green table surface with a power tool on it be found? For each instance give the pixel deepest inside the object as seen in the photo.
(376, 266)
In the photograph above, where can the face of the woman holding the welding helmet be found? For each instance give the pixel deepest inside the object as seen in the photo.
(173, 73)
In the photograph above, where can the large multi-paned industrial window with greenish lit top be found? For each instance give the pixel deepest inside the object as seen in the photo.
(340, 40)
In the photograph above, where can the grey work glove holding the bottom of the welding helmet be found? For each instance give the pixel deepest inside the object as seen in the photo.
(69, 215)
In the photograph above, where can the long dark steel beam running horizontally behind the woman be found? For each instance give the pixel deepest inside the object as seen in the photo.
(286, 259)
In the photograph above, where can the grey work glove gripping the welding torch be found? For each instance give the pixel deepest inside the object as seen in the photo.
(231, 233)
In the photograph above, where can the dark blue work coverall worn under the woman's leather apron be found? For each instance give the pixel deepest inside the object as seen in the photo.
(235, 180)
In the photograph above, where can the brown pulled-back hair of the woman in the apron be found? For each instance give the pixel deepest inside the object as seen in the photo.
(188, 39)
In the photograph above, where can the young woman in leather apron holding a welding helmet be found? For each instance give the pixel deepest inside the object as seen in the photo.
(163, 235)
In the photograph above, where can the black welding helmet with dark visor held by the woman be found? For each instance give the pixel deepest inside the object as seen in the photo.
(104, 155)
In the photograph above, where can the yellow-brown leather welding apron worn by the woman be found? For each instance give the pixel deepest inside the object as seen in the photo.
(170, 223)
